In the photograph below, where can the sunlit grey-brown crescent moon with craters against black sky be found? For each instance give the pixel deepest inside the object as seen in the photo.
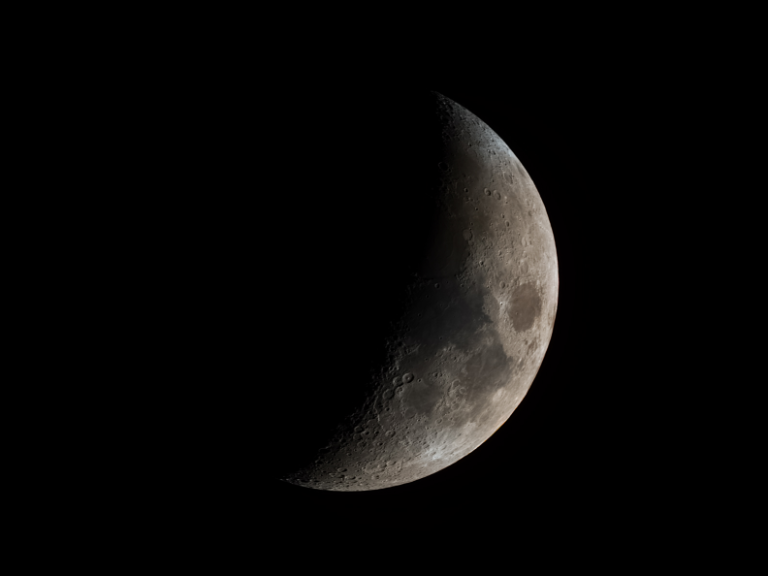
(476, 324)
